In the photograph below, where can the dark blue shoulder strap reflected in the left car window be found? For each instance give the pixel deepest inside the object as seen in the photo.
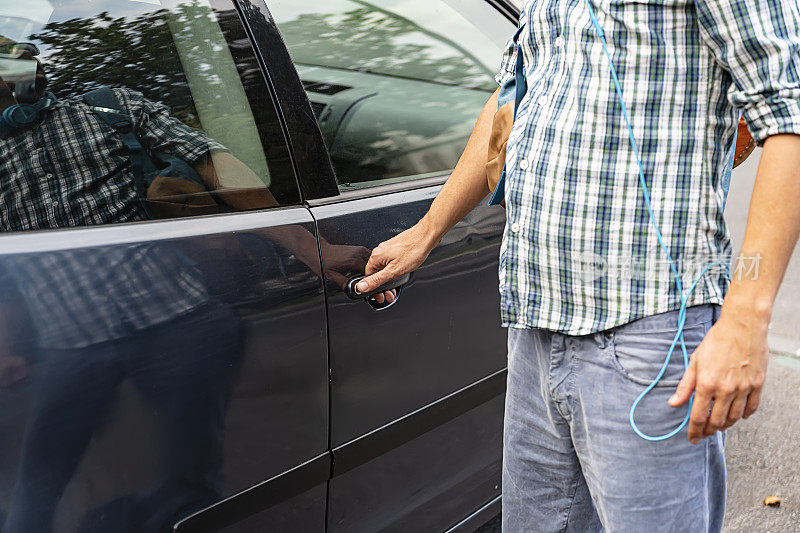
(105, 104)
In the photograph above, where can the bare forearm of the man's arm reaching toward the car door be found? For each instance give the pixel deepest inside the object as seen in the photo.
(467, 185)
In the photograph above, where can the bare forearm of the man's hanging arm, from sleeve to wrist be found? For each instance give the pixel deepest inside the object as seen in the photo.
(773, 225)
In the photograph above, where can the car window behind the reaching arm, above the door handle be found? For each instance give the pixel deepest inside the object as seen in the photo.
(396, 85)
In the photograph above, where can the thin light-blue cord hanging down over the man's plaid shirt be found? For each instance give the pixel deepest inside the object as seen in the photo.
(673, 267)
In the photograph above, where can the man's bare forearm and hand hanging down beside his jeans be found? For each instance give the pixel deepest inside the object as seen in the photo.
(728, 369)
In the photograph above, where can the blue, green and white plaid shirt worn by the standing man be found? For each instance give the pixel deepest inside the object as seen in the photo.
(579, 253)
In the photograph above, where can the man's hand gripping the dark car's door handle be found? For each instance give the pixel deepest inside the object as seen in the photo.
(397, 257)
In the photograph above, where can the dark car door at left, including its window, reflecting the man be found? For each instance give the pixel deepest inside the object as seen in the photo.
(157, 371)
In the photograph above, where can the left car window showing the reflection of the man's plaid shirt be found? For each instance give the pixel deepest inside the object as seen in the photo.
(122, 111)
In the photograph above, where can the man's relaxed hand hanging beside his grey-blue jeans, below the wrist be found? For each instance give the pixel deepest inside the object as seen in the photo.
(726, 373)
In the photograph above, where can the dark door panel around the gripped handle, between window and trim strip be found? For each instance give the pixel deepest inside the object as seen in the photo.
(444, 332)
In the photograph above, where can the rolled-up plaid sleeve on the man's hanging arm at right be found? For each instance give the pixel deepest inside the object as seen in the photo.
(758, 43)
